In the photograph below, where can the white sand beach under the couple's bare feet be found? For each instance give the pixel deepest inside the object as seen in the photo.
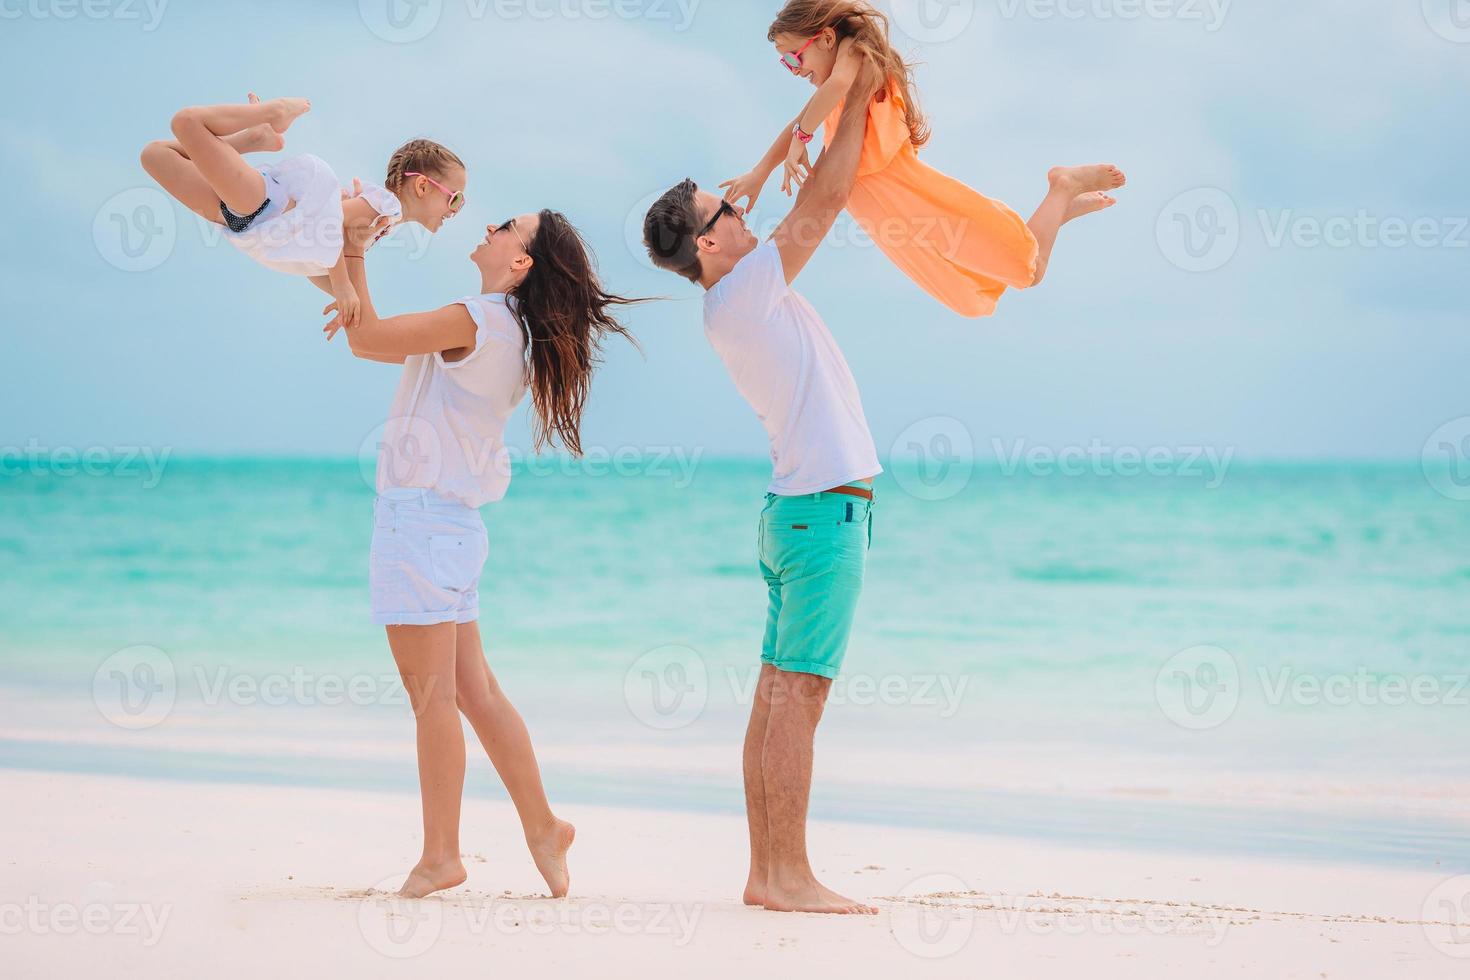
(108, 876)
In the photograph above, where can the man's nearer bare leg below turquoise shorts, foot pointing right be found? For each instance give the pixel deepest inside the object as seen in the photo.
(796, 709)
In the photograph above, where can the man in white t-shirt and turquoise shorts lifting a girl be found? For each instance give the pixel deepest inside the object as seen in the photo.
(817, 525)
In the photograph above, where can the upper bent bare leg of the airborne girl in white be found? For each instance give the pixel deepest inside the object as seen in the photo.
(204, 131)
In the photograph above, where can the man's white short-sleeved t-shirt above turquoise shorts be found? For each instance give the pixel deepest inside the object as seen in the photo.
(789, 368)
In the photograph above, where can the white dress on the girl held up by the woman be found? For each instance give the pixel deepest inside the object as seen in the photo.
(308, 240)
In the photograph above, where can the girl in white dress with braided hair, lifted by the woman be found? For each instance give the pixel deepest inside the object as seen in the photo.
(290, 217)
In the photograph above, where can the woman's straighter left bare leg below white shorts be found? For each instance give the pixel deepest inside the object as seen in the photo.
(426, 656)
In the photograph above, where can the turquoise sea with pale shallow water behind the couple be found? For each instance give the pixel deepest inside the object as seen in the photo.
(1274, 662)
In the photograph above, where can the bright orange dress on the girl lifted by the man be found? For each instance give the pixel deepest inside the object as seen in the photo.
(959, 246)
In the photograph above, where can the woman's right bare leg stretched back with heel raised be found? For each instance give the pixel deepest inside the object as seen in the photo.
(506, 741)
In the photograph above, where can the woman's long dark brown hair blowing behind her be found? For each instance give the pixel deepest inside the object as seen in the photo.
(564, 314)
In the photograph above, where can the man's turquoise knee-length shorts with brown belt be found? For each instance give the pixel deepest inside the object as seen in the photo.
(814, 552)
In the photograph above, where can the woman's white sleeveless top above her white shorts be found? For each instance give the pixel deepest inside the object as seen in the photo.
(448, 425)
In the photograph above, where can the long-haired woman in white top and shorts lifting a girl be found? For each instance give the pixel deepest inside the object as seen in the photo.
(539, 321)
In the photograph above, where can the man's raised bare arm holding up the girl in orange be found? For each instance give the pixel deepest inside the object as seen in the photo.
(831, 183)
